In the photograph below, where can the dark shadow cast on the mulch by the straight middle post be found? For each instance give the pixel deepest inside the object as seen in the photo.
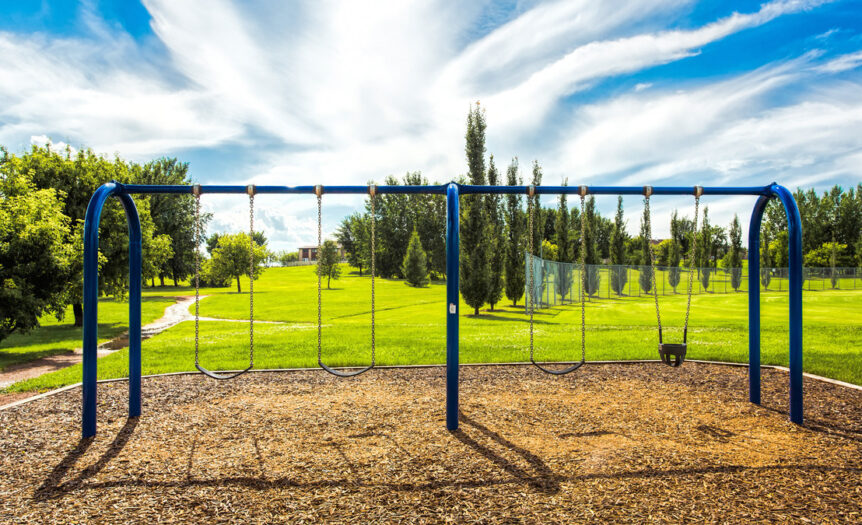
(543, 479)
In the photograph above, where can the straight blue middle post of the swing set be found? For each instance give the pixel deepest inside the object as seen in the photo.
(452, 304)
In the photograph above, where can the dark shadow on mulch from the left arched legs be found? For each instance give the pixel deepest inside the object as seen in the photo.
(53, 488)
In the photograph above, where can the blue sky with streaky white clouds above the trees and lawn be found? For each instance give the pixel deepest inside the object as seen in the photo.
(612, 92)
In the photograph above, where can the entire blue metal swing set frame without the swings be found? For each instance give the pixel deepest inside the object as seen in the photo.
(452, 191)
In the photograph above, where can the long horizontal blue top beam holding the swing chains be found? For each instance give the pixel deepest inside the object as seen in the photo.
(441, 189)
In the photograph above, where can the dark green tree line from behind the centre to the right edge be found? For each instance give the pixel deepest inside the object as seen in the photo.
(494, 239)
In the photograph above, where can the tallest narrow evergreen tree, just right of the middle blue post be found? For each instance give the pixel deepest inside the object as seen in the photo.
(474, 223)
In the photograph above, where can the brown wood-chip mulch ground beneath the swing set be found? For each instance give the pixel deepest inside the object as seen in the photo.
(610, 443)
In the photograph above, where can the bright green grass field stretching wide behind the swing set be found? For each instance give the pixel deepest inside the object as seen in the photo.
(411, 329)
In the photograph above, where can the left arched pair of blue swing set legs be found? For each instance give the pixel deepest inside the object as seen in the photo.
(91, 305)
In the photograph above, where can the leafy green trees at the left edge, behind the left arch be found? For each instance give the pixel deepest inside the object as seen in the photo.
(43, 201)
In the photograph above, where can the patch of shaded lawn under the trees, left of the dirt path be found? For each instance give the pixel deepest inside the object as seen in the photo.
(58, 337)
